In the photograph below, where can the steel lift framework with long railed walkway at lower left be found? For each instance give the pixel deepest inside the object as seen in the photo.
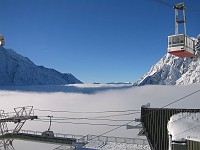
(67, 141)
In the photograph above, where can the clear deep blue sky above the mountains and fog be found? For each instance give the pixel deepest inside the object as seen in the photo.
(95, 40)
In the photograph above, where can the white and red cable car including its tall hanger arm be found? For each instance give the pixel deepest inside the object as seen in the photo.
(180, 44)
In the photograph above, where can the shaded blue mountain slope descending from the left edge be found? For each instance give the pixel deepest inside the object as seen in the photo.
(18, 70)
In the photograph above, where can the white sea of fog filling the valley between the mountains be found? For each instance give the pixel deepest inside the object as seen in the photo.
(78, 101)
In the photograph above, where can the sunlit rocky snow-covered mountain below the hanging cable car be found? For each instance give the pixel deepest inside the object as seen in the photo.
(172, 70)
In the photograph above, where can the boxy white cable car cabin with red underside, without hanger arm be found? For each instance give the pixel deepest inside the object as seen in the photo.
(181, 45)
